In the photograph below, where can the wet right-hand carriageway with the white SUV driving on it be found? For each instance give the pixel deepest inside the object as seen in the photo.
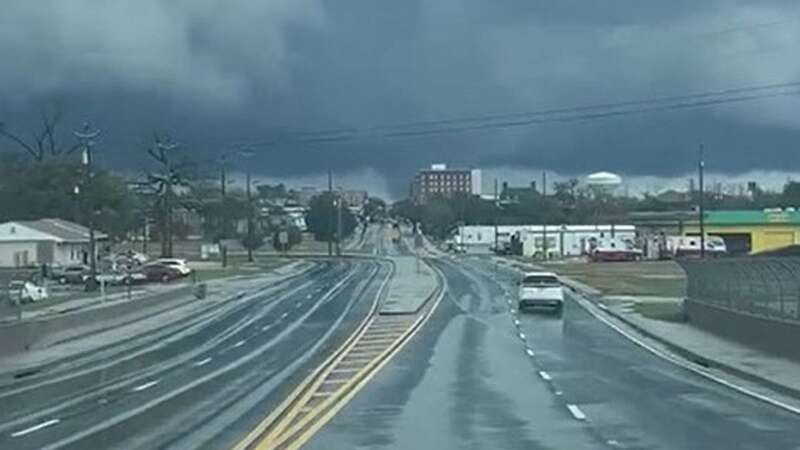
(466, 381)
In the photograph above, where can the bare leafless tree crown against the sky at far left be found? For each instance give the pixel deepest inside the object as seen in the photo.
(43, 142)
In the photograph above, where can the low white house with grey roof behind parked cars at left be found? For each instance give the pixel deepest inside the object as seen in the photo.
(25, 243)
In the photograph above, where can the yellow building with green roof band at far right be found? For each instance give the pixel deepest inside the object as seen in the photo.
(751, 231)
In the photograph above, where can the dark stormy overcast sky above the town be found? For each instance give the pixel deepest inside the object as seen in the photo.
(219, 73)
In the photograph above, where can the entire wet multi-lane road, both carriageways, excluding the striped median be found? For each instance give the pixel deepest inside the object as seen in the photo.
(477, 375)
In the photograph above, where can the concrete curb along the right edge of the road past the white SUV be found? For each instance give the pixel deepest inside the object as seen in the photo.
(679, 350)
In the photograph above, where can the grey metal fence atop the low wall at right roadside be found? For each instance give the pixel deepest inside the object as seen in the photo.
(766, 287)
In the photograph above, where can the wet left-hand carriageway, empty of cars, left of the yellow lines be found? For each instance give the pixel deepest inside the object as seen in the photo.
(205, 382)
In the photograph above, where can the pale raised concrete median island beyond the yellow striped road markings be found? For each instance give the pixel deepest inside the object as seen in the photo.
(413, 283)
